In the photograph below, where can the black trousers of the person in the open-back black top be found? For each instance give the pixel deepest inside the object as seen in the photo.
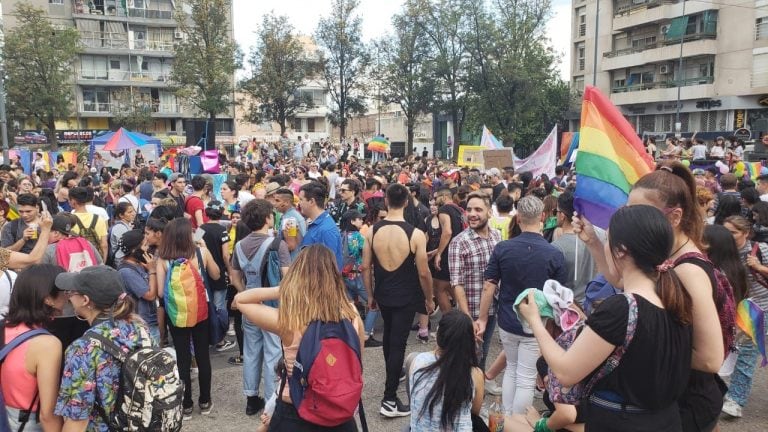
(397, 327)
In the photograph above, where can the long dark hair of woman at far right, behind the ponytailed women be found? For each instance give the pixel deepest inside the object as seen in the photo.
(726, 256)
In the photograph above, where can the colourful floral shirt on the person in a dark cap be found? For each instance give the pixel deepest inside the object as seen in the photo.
(89, 371)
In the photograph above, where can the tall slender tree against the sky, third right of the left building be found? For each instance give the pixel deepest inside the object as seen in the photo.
(345, 60)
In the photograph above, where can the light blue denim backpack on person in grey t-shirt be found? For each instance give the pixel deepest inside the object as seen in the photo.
(268, 272)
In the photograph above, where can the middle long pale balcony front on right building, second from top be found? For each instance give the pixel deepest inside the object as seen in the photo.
(658, 52)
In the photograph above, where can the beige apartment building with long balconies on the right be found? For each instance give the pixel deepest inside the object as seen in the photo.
(707, 60)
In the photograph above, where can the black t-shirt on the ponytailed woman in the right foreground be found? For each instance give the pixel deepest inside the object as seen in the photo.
(653, 373)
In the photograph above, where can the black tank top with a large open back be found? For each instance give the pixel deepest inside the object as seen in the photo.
(400, 287)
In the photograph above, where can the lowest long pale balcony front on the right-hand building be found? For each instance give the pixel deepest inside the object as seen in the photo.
(690, 88)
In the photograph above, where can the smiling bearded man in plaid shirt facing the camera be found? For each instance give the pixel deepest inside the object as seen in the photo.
(468, 255)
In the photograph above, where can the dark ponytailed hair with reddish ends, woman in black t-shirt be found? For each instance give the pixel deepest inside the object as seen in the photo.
(644, 233)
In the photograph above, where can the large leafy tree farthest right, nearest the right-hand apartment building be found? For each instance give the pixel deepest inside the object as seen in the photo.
(516, 89)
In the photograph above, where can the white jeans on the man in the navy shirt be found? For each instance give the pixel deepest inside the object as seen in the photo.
(520, 374)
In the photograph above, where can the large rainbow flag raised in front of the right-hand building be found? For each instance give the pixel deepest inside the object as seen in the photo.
(610, 160)
